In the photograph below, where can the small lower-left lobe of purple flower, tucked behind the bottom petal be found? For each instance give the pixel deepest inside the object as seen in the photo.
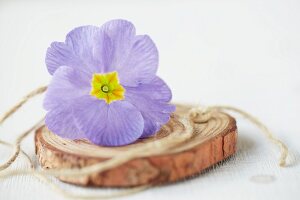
(61, 122)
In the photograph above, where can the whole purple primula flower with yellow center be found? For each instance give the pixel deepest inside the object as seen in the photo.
(104, 85)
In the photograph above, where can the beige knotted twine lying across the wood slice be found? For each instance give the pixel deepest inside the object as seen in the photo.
(195, 115)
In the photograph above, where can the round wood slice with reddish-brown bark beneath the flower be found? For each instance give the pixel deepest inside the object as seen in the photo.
(214, 141)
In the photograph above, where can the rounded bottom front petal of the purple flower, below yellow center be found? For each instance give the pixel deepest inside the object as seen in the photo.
(115, 124)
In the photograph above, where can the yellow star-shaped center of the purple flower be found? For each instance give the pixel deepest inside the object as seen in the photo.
(107, 87)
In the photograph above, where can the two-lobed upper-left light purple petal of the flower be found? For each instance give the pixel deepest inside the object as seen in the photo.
(86, 49)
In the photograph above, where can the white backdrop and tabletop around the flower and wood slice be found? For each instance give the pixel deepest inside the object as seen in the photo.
(242, 53)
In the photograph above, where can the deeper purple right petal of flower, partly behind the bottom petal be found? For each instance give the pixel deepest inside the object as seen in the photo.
(152, 100)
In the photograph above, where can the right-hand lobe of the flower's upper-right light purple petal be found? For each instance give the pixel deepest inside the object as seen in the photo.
(141, 63)
